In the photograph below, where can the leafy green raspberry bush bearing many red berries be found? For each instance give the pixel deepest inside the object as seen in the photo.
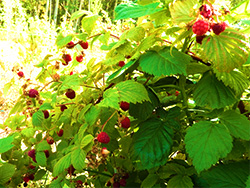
(167, 106)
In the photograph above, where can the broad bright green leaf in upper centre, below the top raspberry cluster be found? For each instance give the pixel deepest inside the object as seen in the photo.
(164, 63)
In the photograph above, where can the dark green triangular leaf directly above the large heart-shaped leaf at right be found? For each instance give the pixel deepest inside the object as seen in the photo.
(212, 92)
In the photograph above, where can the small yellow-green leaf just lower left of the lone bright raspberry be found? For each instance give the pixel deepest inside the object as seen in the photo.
(78, 159)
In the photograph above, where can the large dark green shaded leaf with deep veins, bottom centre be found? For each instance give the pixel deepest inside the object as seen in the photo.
(151, 144)
